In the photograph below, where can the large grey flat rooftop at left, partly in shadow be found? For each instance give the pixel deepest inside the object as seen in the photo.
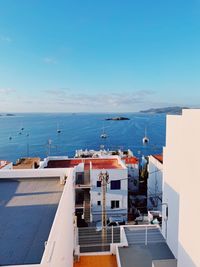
(27, 211)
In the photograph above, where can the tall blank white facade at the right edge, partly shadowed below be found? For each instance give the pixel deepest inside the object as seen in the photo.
(181, 187)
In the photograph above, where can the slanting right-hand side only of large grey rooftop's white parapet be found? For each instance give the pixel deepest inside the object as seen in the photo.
(60, 244)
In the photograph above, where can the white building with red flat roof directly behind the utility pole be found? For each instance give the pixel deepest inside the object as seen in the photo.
(88, 187)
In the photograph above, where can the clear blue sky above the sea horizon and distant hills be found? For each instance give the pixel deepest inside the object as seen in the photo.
(98, 56)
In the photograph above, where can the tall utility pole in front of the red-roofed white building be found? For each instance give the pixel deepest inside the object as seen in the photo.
(104, 177)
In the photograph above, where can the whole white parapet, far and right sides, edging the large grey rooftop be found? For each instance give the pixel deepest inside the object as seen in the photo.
(61, 242)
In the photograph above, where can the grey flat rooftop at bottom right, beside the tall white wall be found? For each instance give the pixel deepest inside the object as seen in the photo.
(137, 254)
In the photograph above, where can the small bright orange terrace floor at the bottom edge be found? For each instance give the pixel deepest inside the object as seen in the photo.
(97, 261)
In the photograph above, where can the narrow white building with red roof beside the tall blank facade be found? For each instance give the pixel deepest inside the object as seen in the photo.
(155, 182)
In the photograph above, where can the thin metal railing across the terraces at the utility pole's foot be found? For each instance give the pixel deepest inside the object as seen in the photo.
(92, 239)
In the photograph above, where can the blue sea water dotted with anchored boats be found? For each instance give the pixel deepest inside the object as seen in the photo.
(78, 131)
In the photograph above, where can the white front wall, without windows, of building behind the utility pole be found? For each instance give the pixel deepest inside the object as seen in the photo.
(121, 195)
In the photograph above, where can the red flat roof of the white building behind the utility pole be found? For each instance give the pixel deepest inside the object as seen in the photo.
(96, 163)
